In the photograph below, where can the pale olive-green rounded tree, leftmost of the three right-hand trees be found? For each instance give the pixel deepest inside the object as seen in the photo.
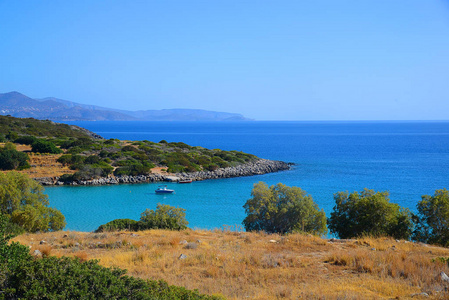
(283, 209)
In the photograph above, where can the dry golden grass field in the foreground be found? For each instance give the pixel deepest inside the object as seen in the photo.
(242, 265)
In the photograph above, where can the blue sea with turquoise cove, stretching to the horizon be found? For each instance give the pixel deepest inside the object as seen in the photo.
(408, 159)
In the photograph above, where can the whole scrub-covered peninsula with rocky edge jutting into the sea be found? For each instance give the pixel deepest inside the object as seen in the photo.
(58, 154)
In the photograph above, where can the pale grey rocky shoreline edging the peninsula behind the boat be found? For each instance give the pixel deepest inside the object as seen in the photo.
(259, 167)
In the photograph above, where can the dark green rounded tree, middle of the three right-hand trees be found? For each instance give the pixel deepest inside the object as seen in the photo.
(369, 213)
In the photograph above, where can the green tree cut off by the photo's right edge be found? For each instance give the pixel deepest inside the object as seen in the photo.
(432, 221)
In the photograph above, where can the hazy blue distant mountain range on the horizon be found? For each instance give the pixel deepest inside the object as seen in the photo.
(19, 105)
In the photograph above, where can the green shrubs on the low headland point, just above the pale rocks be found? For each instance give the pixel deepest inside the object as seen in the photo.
(102, 157)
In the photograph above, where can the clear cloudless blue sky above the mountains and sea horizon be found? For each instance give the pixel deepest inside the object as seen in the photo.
(269, 60)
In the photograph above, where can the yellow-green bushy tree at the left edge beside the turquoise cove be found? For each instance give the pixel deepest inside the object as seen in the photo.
(23, 201)
